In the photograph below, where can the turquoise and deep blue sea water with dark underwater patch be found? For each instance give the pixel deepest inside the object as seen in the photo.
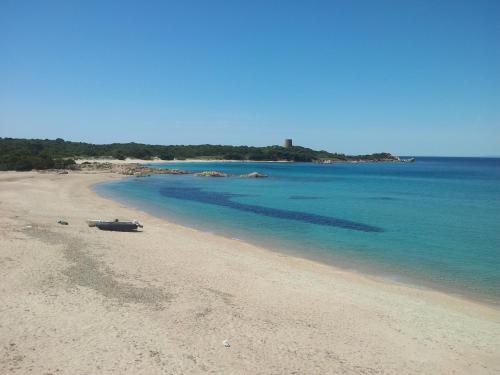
(434, 223)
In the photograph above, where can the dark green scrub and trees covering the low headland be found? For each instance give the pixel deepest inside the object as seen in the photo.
(27, 154)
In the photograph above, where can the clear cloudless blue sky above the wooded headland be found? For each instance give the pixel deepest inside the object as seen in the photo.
(406, 77)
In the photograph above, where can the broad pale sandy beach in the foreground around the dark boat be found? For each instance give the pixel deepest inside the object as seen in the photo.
(76, 300)
